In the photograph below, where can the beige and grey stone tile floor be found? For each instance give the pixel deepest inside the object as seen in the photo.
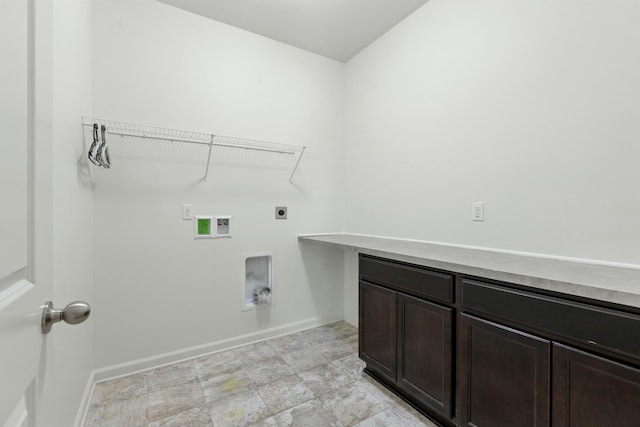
(307, 379)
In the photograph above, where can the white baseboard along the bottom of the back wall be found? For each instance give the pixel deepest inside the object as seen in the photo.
(139, 365)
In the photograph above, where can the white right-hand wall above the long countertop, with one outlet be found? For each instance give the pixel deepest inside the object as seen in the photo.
(529, 106)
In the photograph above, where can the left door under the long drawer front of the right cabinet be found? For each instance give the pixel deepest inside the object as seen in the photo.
(504, 376)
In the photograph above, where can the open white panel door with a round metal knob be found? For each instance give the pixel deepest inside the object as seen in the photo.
(23, 286)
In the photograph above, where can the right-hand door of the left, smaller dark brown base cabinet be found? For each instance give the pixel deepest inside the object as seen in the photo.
(424, 353)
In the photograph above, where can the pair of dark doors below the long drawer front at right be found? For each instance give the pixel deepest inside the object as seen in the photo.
(505, 381)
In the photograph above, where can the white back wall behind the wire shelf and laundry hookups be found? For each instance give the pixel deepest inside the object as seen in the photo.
(157, 290)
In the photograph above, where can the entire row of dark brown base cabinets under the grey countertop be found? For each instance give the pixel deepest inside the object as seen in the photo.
(472, 352)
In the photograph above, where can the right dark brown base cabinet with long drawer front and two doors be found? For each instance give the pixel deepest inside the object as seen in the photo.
(573, 387)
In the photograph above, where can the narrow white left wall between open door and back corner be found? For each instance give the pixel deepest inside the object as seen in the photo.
(70, 348)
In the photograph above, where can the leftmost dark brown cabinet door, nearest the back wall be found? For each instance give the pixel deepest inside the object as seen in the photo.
(378, 329)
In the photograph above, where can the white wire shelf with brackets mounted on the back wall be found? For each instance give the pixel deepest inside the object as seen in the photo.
(205, 139)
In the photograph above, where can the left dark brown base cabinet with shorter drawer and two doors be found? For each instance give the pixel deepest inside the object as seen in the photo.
(406, 340)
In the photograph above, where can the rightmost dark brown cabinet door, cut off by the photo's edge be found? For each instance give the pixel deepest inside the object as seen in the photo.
(589, 391)
